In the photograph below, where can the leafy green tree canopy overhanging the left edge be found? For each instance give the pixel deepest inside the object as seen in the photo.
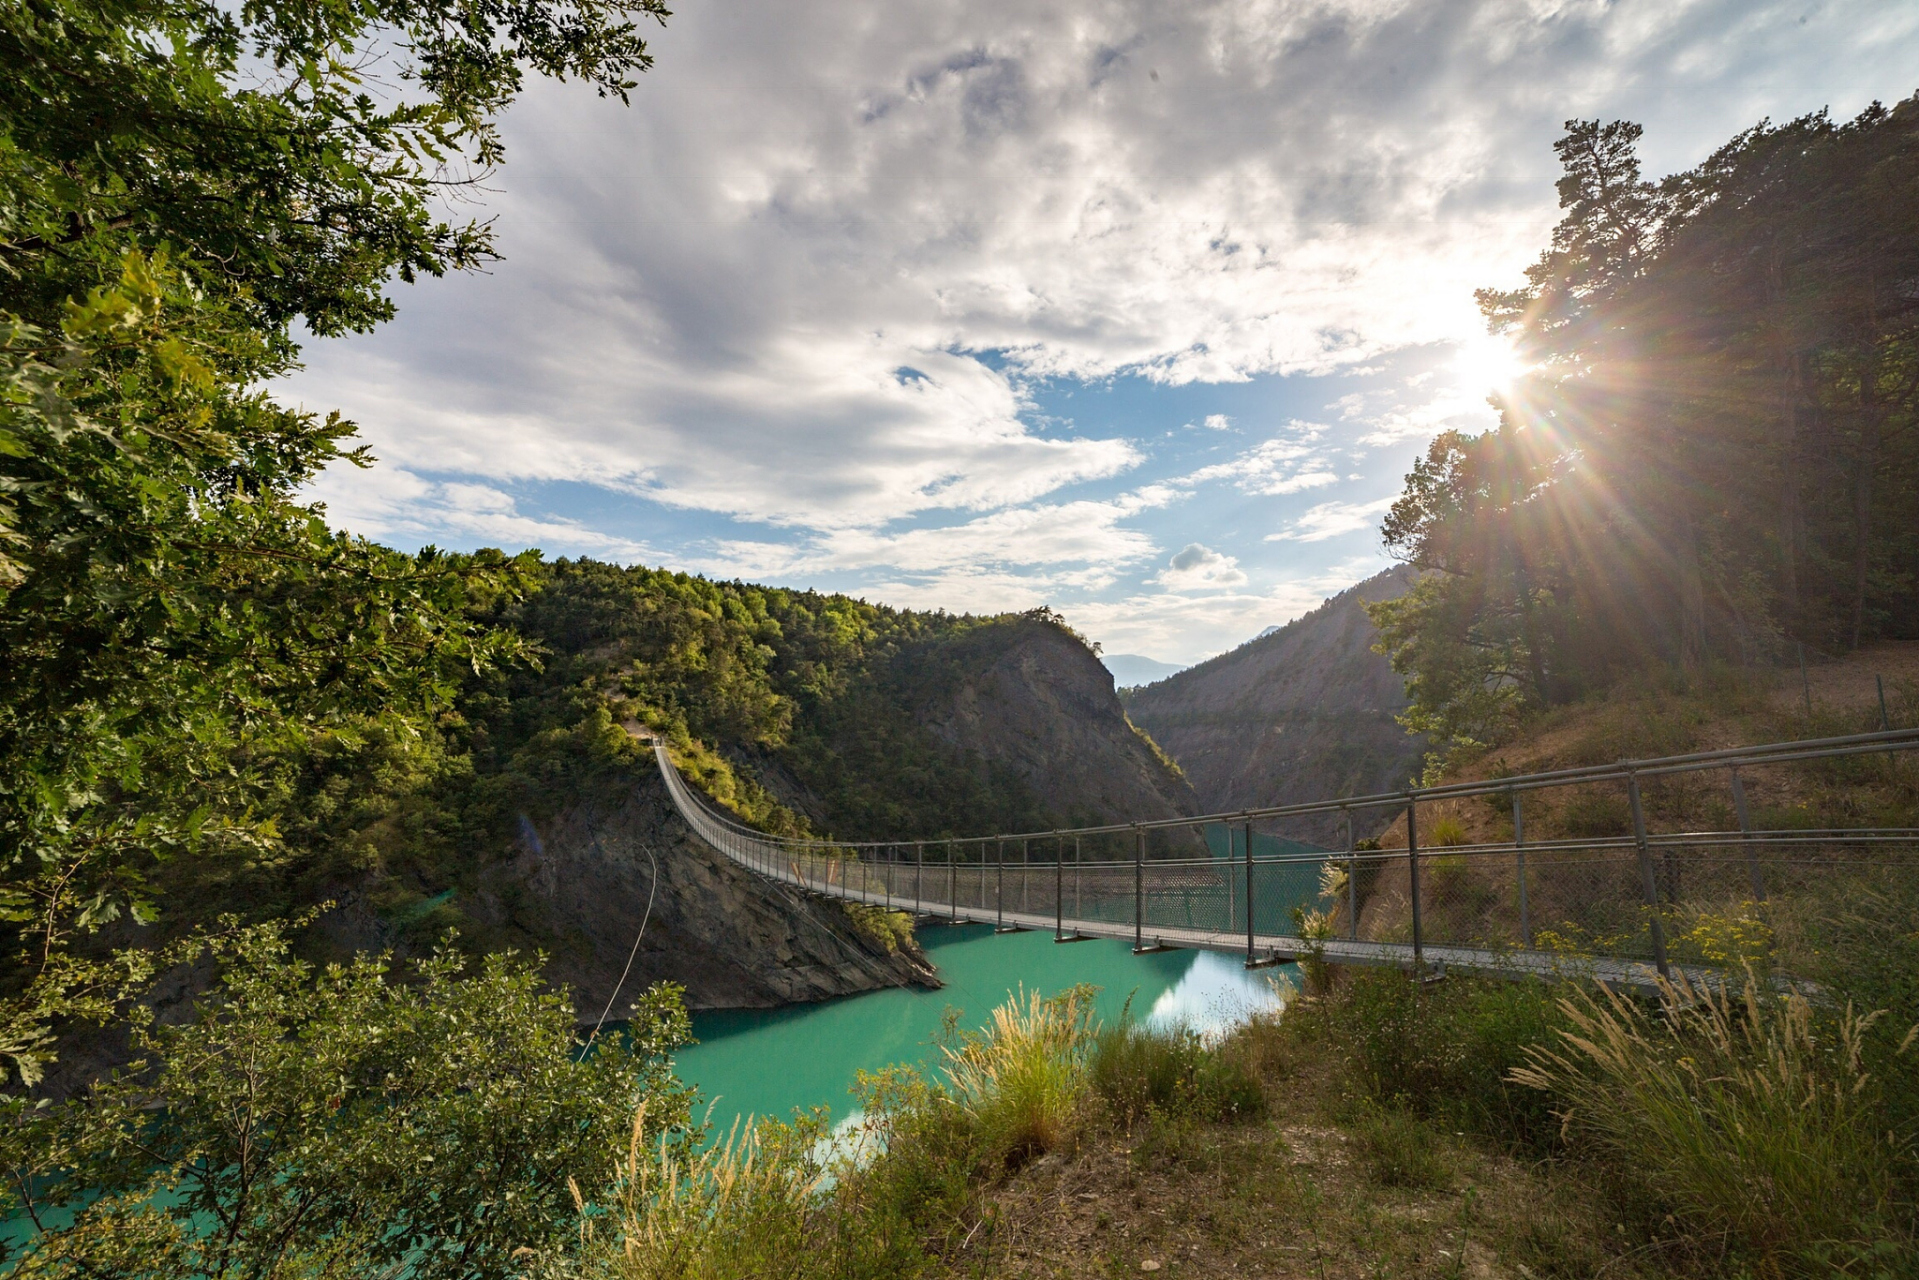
(183, 183)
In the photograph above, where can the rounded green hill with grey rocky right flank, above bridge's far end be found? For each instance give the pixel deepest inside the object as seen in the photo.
(820, 713)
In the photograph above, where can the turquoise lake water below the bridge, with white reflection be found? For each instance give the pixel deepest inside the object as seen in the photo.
(769, 1062)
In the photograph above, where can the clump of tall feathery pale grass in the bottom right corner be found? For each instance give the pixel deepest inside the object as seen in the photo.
(1749, 1118)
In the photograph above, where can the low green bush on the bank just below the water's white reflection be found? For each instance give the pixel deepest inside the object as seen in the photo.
(1141, 1072)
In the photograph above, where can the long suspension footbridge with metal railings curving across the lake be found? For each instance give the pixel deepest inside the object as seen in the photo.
(1623, 905)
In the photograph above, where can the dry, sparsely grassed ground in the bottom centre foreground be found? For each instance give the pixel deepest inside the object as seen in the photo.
(1312, 1191)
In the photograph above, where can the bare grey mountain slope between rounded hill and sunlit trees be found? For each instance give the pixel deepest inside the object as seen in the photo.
(1300, 713)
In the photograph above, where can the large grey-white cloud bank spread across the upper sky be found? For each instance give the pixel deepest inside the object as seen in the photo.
(713, 298)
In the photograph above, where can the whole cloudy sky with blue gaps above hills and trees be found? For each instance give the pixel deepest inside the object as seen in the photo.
(1133, 310)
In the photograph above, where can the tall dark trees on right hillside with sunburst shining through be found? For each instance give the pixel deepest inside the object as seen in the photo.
(1715, 456)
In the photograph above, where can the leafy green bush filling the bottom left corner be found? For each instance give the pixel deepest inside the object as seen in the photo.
(341, 1124)
